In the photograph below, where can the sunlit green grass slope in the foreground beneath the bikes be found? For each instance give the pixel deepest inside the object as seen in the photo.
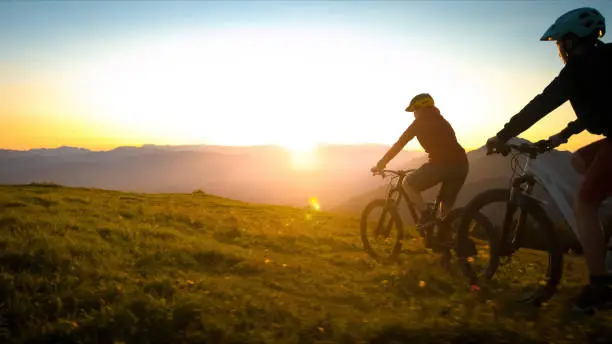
(85, 265)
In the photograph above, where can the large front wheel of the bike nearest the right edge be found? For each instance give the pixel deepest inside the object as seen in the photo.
(533, 242)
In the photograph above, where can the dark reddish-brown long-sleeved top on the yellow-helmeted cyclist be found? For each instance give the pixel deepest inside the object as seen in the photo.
(437, 138)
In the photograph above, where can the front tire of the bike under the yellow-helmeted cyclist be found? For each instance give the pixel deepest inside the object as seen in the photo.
(395, 217)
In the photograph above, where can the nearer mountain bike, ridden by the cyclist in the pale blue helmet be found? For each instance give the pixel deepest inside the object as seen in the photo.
(526, 226)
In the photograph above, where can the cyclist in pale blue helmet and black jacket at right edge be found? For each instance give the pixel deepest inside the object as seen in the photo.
(586, 81)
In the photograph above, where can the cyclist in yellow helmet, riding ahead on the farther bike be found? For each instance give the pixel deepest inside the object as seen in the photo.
(447, 163)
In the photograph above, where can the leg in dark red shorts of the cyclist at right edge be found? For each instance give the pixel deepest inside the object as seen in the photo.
(596, 160)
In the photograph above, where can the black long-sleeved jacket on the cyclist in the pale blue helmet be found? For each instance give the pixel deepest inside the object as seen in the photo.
(586, 81)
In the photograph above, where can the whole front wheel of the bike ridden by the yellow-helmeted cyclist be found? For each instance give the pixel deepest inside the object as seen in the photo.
(383, 244)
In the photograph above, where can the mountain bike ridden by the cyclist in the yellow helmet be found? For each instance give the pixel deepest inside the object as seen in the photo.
(384, 214)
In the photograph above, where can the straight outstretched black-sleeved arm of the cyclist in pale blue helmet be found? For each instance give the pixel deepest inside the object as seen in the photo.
(555, 94)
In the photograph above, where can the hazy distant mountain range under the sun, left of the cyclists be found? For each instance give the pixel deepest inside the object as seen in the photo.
(261, 174)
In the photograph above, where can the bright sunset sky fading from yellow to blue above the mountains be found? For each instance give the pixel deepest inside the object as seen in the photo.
(105, 74)
